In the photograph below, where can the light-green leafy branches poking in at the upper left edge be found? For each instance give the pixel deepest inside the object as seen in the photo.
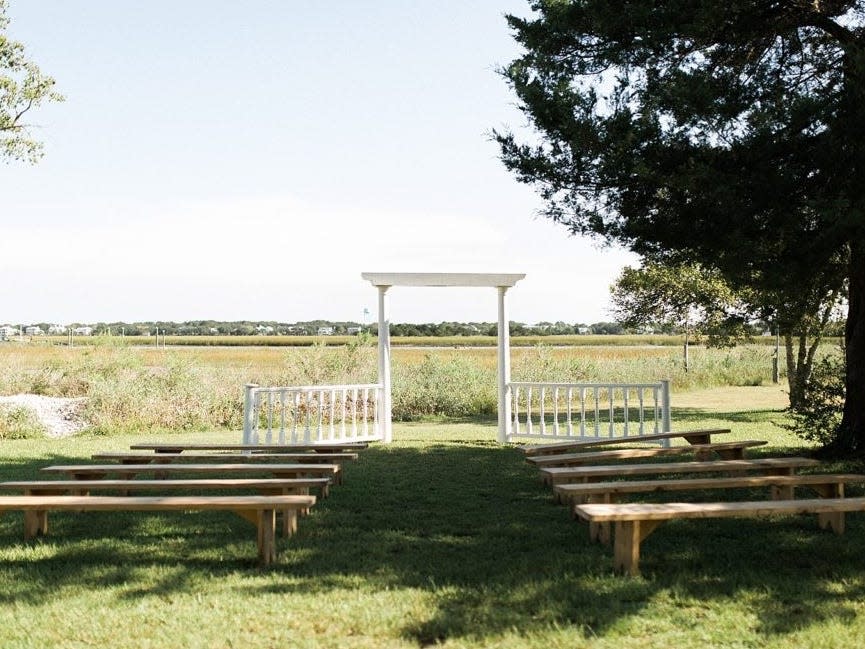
(23, 87)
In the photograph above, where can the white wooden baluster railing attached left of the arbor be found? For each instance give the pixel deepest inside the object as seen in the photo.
(310, 414)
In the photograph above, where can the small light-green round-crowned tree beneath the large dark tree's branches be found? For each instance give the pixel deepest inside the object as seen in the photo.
(685, 297)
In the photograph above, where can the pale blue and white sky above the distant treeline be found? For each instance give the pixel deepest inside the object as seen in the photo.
(229, 160)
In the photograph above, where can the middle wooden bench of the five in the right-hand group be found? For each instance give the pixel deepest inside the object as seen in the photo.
(775, 466)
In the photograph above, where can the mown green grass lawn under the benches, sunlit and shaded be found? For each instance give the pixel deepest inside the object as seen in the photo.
(443, 537)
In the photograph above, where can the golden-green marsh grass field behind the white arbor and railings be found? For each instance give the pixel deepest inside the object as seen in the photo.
(187, 388)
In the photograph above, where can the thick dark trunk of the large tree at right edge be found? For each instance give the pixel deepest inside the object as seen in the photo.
(851, 432)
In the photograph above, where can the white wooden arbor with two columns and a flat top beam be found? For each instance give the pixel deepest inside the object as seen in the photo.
(501, 282)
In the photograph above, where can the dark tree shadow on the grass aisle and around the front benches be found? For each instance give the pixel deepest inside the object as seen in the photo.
(469, 525)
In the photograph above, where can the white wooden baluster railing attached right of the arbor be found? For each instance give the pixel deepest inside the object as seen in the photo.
(561, 411)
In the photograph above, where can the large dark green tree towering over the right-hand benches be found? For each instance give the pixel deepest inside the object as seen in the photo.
(728, 134)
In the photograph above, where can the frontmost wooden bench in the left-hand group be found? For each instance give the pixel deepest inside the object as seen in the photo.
(260, 510)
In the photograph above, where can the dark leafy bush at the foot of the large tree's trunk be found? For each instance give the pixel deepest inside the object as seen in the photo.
(818, 416)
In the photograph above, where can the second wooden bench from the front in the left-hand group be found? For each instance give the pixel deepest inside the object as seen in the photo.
(264, 486)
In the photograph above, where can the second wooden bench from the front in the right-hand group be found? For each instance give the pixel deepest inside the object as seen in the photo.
(826, 485)
